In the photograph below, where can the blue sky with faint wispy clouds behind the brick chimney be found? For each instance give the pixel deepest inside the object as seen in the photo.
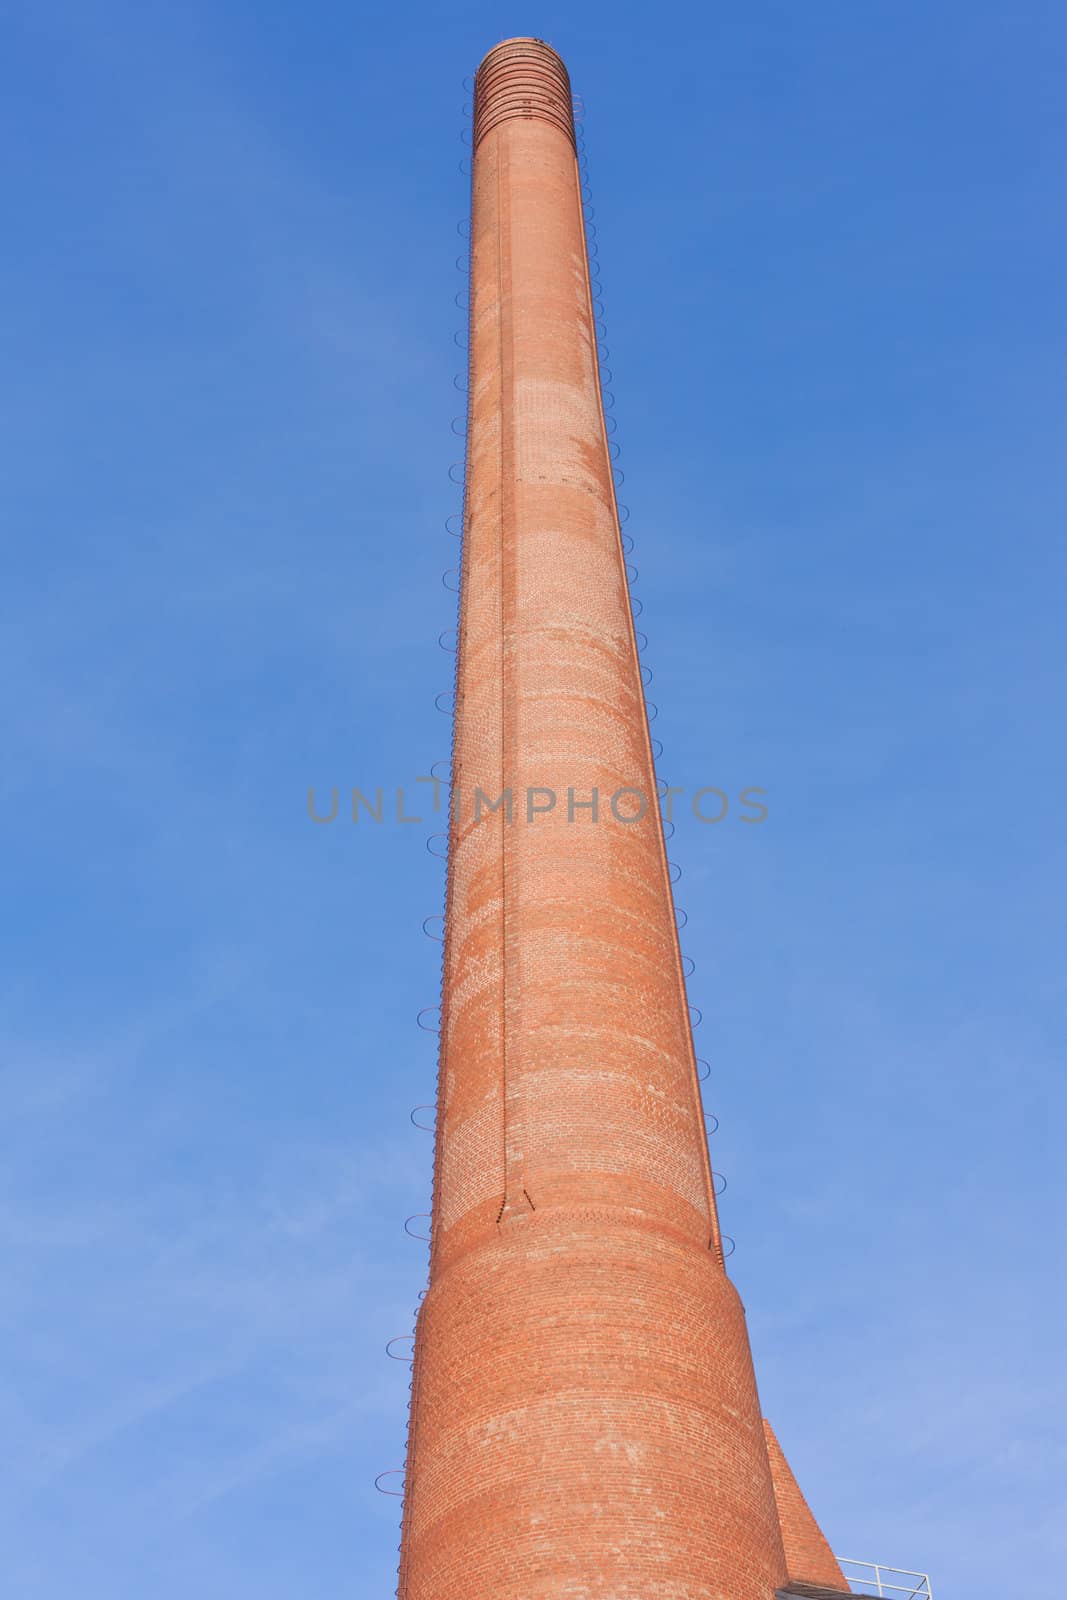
(833, 246)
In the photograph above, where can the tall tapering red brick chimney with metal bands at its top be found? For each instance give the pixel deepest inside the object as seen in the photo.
(585, 1415)
